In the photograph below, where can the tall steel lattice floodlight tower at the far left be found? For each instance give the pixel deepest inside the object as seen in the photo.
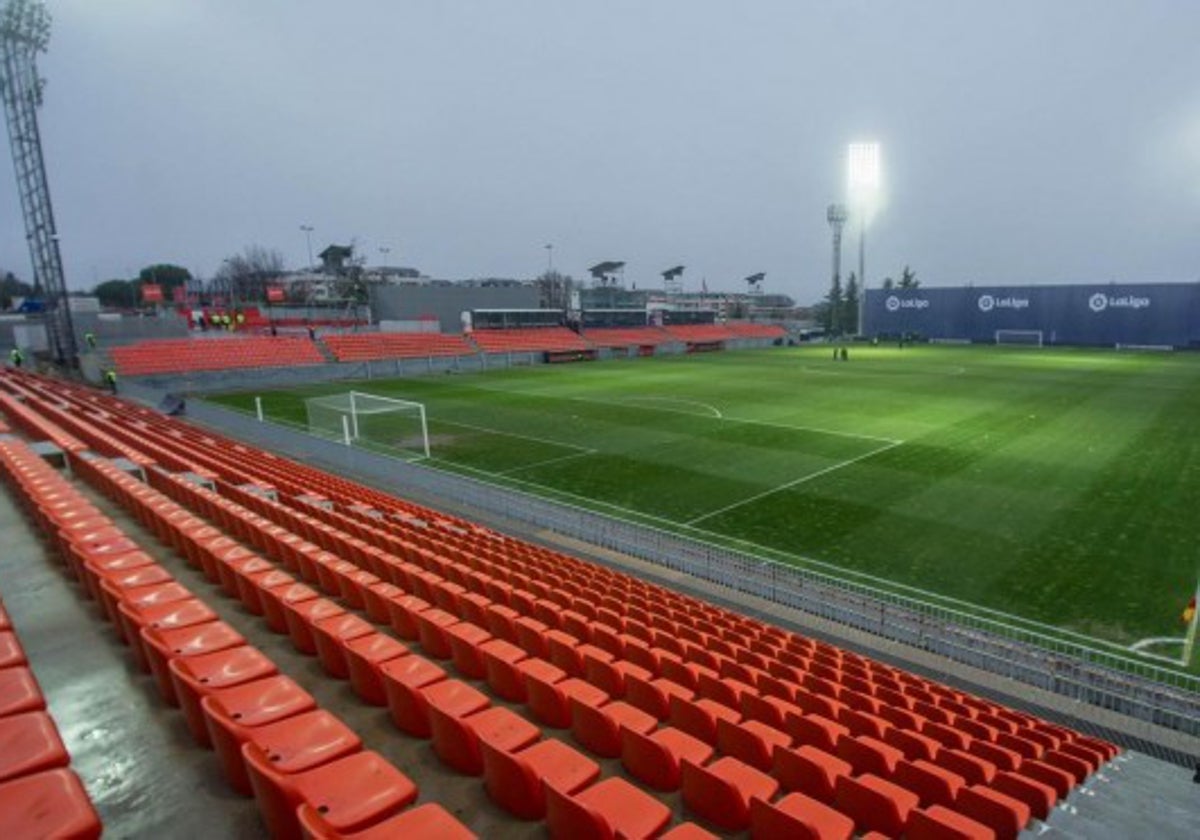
(25, 33)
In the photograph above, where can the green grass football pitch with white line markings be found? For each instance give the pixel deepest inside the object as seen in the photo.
(1060, 485)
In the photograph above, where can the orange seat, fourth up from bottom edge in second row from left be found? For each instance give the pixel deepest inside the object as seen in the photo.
(233, 713)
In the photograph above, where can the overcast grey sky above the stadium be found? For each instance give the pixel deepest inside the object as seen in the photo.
(1031, 141)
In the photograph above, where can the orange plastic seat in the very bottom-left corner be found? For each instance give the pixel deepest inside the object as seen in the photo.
(50, 805)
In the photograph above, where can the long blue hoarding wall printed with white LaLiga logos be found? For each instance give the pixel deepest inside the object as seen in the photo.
(1112, 314)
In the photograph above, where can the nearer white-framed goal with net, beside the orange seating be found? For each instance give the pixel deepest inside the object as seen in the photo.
(368, 418)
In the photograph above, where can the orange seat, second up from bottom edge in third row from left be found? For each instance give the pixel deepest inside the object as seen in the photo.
(607, 811)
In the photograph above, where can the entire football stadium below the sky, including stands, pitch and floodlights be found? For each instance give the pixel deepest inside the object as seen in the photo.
(351, 551)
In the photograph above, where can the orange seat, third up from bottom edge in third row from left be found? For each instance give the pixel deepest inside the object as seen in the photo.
(517, 781)
